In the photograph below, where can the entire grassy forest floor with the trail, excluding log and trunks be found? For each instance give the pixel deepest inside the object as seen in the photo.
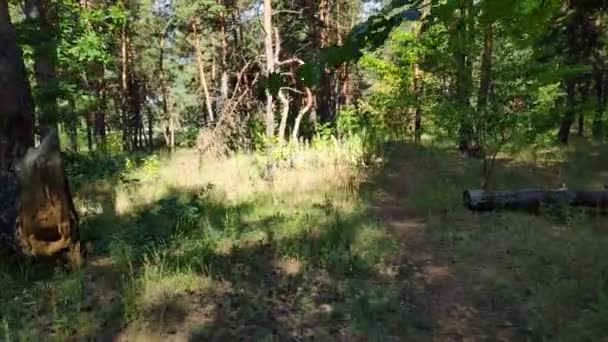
(322, 249)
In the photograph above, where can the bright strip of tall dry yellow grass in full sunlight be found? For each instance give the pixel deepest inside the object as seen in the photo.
(238, 178)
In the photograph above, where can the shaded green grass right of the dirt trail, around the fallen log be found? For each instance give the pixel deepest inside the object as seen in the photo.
(546, 273)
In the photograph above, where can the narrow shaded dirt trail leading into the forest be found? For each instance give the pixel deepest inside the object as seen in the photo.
(443, 307)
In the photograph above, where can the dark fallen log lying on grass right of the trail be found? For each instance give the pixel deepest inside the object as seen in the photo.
(533, 199)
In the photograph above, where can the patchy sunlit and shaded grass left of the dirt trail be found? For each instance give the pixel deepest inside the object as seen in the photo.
(186, 251)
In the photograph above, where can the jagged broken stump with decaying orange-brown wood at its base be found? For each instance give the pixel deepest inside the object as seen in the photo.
(47, 224)
